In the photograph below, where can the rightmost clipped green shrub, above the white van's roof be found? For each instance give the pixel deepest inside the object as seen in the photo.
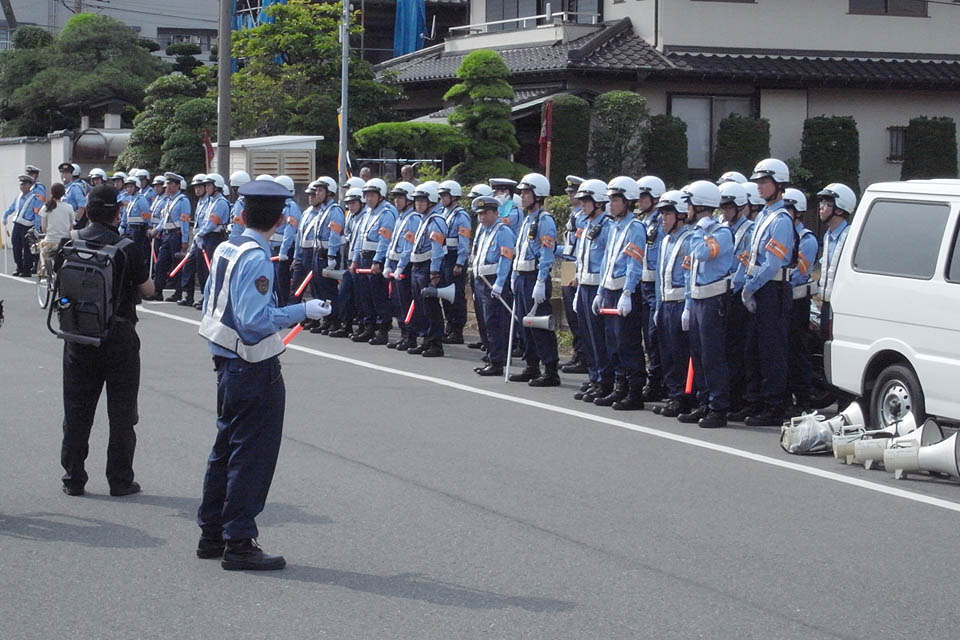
(930, 149)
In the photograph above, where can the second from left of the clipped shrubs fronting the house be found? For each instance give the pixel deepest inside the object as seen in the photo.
(616, 145)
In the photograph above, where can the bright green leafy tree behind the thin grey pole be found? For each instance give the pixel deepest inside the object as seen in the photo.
(289, 81)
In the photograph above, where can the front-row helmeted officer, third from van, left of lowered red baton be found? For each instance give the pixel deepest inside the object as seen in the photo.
(673, 269)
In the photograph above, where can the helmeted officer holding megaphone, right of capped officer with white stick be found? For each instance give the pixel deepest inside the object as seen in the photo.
(533, 259)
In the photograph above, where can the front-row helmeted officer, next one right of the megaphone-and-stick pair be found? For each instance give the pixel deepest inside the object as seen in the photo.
(590, 250)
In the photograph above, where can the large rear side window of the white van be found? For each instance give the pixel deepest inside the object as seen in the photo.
(901, 238)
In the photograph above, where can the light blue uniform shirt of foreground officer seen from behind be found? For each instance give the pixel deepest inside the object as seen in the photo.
(255, 315)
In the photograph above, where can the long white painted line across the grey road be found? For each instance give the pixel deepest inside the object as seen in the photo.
(710, 446)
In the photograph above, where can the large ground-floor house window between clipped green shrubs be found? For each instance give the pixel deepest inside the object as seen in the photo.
(703, 114)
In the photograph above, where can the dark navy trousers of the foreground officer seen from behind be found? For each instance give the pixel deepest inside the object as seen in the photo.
(250, 405)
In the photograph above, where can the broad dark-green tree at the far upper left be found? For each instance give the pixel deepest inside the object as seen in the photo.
(94, 58)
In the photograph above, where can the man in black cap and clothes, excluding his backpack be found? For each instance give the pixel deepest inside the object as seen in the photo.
(115, 362)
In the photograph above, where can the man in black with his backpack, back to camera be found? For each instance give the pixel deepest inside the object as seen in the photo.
(101, 348)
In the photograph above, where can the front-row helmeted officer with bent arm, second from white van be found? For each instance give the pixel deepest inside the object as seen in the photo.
(708, 286)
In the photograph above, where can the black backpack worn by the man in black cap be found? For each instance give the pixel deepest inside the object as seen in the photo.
(84, 291)
